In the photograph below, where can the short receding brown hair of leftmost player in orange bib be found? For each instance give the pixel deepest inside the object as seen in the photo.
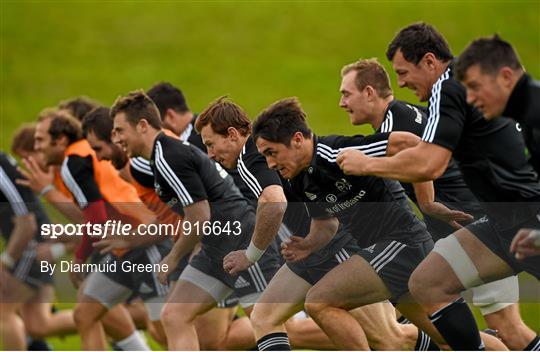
(62, 123)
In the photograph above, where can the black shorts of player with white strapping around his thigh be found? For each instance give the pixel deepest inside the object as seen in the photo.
(498, 241)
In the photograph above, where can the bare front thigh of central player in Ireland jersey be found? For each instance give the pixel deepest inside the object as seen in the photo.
(349, 285)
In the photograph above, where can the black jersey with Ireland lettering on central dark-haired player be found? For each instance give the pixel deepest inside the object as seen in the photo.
(370, 208)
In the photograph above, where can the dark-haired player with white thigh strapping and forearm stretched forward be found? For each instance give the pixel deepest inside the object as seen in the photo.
(492, 159)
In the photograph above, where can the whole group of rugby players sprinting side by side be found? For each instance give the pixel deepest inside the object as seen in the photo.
(315, 238)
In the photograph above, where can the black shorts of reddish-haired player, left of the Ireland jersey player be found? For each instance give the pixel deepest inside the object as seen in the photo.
(318, 265)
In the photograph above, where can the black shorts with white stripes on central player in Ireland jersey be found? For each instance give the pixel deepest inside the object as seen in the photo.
(394, 262)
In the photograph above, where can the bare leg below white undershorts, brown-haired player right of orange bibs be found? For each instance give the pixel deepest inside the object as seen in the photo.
(186, 302)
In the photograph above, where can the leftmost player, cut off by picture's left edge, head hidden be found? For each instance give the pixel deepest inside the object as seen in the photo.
(22, 281)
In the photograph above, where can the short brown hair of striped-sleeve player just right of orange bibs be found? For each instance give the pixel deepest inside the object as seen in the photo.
(137, 106)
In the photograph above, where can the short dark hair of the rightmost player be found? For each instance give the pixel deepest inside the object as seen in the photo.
(490, 54)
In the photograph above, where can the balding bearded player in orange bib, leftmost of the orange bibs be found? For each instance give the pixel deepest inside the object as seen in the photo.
(102, 195)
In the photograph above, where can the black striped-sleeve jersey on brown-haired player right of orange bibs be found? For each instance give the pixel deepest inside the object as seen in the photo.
(184, 175)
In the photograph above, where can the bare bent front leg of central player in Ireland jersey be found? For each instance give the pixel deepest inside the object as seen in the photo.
(351, 284)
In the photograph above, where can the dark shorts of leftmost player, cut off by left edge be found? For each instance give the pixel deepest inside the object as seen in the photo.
(28, 269)
